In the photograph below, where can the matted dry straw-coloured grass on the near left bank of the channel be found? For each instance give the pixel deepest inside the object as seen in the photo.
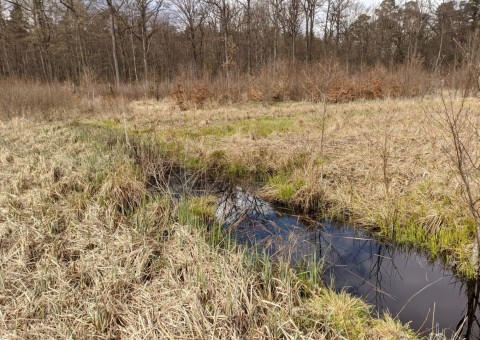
(86, 251)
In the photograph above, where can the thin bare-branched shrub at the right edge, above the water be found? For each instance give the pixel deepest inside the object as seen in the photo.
(459, 125)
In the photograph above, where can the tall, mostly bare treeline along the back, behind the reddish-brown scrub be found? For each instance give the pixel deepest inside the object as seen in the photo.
(155, 40)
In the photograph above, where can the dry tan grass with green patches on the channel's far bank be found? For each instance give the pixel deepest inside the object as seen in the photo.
(381, 164)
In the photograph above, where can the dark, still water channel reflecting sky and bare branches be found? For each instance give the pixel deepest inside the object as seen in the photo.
(404, 283)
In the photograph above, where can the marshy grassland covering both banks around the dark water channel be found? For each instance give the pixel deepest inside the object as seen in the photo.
(89, 250)
